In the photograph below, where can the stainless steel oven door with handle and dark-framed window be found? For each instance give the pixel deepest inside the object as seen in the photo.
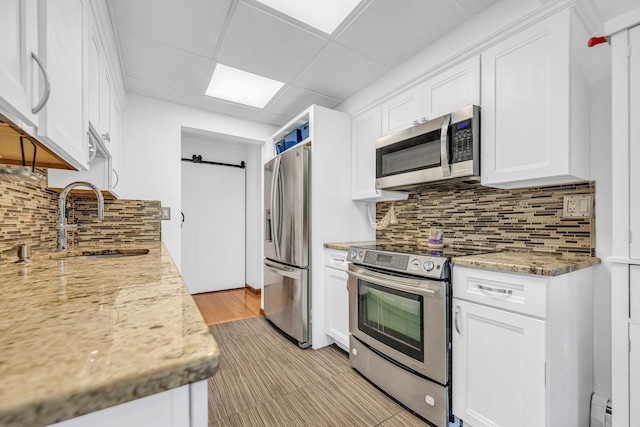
(403, 318)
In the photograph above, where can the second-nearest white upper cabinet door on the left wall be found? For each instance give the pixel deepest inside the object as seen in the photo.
(60, 45)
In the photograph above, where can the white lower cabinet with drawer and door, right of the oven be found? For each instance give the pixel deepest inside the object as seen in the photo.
(522, 348)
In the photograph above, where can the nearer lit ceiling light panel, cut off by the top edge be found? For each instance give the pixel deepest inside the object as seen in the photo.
(324, 15)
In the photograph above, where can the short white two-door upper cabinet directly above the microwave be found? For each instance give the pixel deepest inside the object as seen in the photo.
(443, 93)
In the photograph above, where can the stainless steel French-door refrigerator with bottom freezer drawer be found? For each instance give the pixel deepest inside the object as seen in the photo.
(287, 290)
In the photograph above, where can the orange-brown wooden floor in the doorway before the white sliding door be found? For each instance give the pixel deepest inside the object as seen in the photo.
(226, 306)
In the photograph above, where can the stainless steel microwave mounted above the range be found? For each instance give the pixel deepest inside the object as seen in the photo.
(443, 148)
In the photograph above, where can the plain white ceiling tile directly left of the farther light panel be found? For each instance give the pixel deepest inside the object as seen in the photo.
(163, 65)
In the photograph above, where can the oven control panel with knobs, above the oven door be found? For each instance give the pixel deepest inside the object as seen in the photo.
(419, 265)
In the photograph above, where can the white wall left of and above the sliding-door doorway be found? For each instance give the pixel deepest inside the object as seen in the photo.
(151, 152)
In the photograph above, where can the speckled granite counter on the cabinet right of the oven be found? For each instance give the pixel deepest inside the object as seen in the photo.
(528, 262)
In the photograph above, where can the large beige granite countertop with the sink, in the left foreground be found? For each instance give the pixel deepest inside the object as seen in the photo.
(80, 335)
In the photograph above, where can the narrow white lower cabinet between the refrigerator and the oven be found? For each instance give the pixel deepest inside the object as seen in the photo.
(337, 297)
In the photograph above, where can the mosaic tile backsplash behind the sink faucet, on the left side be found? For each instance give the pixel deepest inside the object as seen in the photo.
(29, 213)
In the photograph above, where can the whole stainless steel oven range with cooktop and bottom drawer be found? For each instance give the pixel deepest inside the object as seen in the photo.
(400, 324)
